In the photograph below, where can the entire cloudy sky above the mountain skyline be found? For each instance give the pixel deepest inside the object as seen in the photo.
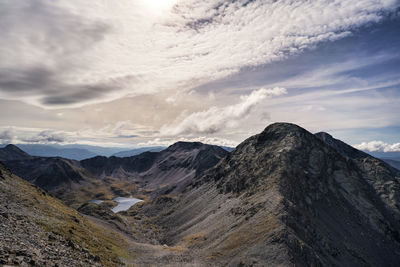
(132, 73)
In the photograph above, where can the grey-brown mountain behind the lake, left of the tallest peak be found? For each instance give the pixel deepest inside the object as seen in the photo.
(155, 170)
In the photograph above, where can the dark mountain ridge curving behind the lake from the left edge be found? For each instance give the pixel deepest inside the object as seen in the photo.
(76, 182)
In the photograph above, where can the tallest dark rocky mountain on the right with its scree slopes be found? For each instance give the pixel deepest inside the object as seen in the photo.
(287, 198)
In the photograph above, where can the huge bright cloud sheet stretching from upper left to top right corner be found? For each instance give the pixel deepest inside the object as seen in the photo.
(72, 53)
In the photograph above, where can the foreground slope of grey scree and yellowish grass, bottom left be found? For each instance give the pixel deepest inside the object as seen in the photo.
(39, 230)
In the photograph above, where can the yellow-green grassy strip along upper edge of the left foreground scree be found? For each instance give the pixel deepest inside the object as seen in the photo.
(55, 217)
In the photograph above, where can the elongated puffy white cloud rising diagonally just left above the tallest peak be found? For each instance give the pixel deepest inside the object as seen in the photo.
(216, 119)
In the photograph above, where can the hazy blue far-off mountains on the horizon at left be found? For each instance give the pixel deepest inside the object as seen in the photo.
(52, 151)
